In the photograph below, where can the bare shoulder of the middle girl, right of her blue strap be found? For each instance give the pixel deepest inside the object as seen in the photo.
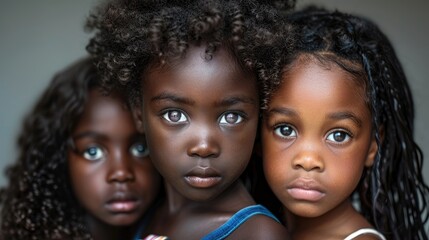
(260, 227)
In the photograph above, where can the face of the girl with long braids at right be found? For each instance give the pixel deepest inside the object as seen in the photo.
(316, 139)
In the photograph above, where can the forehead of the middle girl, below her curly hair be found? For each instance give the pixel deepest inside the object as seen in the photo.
(199, 71)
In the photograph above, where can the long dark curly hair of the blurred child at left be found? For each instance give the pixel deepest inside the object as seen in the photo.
(38, 203)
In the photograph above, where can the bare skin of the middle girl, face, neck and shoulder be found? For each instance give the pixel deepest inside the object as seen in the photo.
(200, 117)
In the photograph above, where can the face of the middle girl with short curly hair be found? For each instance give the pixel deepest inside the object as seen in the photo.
(200, 120)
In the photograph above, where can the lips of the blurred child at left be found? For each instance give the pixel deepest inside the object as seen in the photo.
(122, 202)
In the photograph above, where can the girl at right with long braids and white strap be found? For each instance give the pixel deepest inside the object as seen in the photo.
(339, 123)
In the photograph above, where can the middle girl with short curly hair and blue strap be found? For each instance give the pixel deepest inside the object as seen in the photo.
(188, 64)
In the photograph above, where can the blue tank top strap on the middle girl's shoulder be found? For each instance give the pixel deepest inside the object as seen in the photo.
(236, 220)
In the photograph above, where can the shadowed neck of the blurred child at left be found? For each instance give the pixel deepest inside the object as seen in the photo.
(102, 231)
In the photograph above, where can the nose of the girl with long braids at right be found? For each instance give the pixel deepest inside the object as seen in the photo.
(309, 158)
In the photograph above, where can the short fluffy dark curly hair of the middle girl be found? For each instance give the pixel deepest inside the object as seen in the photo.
(131, 35)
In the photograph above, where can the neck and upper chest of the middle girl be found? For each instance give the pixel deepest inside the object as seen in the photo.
(179, 216)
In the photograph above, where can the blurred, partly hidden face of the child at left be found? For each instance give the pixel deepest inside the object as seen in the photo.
(111, 174)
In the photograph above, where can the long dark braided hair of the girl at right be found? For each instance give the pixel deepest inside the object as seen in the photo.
(392, 194)
